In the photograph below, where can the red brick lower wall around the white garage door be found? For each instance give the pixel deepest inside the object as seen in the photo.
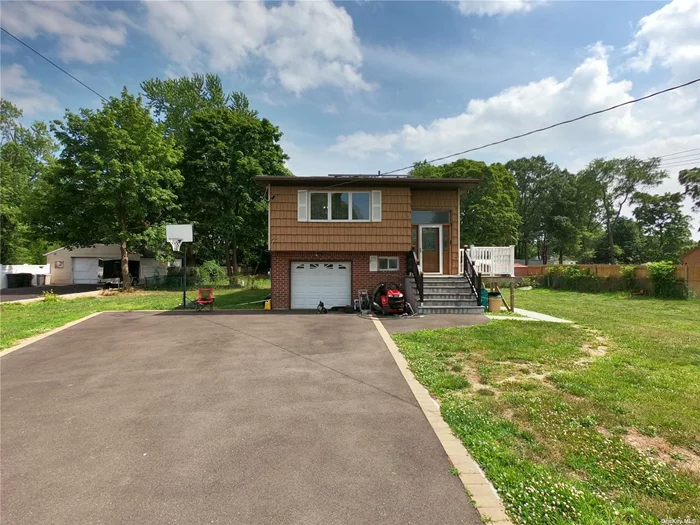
(362, 278)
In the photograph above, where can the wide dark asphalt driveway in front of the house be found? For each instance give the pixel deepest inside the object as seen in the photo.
(219, 418)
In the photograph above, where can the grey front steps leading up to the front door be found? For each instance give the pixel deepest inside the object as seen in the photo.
(450, 294)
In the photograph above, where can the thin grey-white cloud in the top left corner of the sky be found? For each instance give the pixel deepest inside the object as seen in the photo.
(85, 32)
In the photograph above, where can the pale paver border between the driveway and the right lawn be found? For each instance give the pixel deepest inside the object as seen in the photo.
(476, 484)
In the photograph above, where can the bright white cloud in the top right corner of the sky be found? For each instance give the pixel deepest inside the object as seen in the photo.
(669, 37)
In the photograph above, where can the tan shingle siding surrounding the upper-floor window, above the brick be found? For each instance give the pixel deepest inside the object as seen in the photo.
(392, 234)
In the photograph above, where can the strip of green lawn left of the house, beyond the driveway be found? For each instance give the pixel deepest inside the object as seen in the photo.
(18, 321)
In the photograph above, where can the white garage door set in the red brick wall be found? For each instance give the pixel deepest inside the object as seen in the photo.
(318, 281)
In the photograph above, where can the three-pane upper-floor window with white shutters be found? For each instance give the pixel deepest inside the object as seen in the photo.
(360, 206)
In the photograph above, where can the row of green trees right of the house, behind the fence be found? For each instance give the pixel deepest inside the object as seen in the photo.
(554, 215)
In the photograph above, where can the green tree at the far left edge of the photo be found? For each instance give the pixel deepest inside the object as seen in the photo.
(25, 153)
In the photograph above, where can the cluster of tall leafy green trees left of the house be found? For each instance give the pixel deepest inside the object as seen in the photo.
(182, 152)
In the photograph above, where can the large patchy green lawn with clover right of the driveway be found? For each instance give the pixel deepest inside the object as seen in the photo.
(550, 410)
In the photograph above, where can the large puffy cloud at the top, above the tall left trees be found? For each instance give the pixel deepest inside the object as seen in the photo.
(303, 44)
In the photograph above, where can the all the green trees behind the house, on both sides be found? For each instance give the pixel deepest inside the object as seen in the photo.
(185, 151)
